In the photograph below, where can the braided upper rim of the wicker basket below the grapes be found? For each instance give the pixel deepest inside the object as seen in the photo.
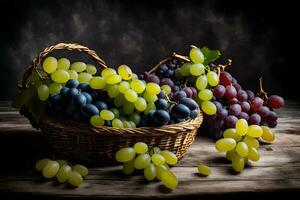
(170, 129)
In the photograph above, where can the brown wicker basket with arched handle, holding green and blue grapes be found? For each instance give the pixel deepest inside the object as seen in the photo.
(98, 145)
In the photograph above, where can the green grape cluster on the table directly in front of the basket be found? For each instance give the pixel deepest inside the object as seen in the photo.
(154, 163)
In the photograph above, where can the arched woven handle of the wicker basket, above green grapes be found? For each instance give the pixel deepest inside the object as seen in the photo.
(60, 46)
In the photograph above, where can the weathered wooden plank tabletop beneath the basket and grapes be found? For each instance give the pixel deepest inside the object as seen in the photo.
(277, 171)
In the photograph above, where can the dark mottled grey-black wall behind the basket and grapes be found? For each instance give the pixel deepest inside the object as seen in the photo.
(260, 38)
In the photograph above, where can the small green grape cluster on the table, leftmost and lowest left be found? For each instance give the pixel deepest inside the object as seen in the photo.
(62, 171)
